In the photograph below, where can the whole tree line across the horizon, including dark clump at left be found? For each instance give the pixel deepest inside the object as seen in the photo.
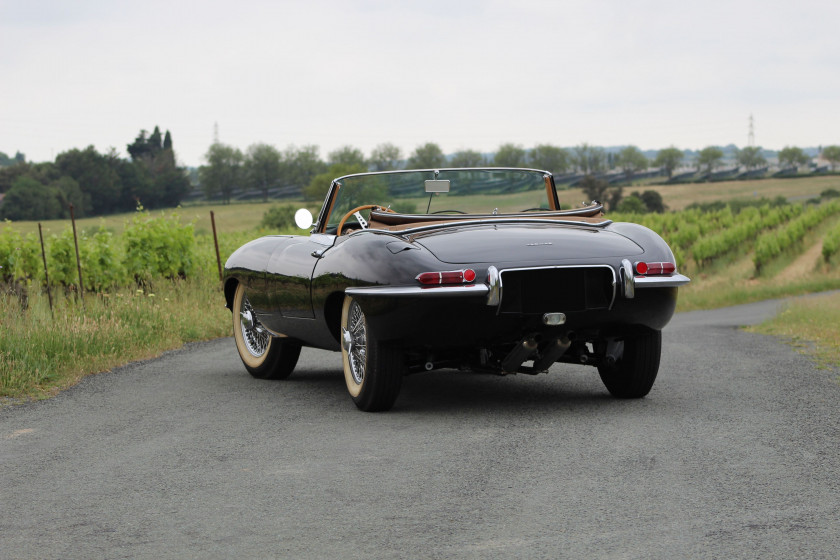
(105, 183)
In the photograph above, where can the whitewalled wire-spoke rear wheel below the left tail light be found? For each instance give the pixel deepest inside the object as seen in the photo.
(372, 370)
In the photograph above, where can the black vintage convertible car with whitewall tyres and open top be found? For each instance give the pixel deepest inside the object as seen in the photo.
(469, 269)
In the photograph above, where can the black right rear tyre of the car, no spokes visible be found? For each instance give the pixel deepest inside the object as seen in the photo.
(632, 375)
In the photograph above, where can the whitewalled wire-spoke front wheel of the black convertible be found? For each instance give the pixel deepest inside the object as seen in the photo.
(265, 356)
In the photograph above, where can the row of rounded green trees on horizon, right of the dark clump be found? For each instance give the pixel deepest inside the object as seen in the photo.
(263, 167)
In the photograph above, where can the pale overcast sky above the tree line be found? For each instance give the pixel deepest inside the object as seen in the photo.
(466, 74)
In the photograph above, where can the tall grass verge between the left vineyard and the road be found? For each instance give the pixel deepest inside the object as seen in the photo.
(42, 353)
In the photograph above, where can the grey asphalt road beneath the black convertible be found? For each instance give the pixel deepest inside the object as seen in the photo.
(734, 454)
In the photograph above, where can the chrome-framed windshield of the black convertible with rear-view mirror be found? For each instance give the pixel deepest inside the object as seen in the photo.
(471, 191)
